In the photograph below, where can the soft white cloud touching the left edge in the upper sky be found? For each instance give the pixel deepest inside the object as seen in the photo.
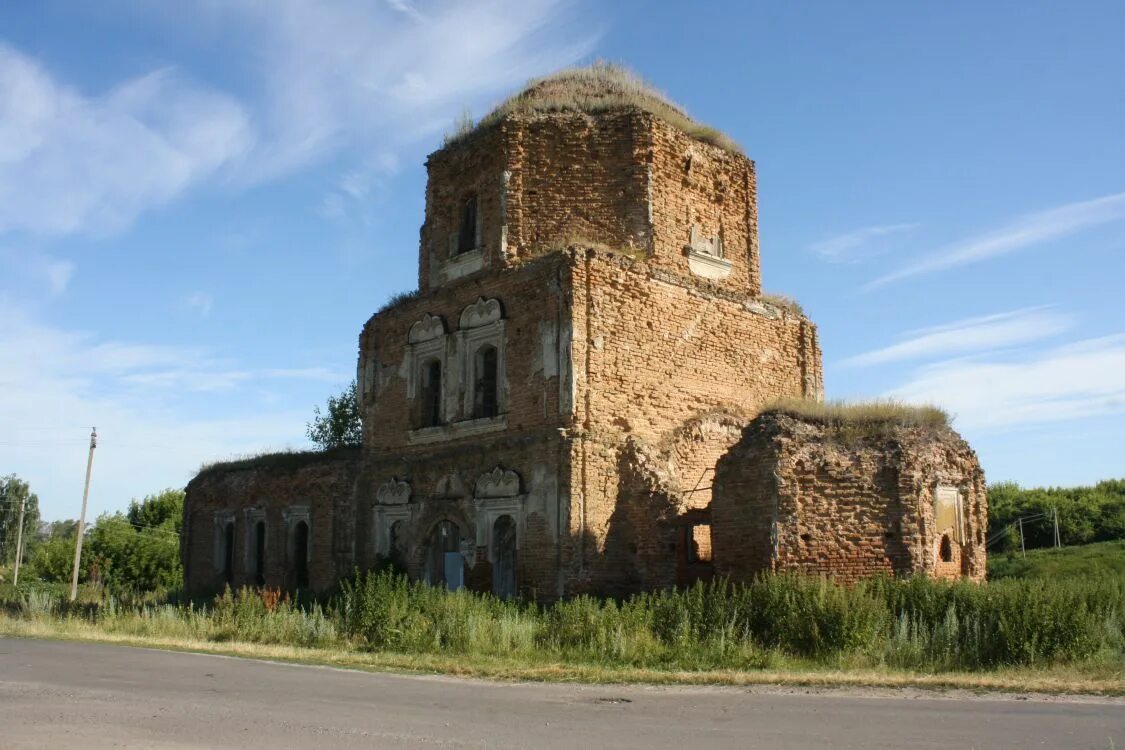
(76, 164)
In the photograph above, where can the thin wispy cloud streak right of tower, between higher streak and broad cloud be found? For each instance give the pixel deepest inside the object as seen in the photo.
(1000, 331)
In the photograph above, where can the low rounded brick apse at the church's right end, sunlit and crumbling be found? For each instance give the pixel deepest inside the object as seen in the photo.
(794, 495)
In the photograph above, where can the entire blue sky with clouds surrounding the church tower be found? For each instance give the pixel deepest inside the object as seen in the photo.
(202, 203)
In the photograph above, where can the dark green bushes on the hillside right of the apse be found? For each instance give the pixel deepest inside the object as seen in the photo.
(1086, 514)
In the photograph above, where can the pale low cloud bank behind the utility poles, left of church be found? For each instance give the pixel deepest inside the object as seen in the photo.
(155, 427)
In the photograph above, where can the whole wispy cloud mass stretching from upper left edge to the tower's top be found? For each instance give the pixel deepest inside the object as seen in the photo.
(350, 79)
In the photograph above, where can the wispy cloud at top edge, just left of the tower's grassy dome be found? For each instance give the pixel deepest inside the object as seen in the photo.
(373, 77)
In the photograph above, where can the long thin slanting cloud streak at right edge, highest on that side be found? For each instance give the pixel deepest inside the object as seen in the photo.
(1024, 232)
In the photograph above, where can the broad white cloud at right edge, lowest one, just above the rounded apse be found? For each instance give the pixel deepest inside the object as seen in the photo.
(1084, 379)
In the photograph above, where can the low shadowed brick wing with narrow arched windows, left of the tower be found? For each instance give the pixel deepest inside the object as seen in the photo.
(281, 492)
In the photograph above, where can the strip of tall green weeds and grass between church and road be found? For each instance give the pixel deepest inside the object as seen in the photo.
(919, 626)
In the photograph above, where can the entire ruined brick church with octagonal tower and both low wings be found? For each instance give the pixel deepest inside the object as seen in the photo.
(575, 399)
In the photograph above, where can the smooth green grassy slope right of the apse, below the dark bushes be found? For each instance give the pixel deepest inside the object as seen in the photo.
(1065, 564)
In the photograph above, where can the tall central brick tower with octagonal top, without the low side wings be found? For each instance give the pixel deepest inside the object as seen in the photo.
(588, 339)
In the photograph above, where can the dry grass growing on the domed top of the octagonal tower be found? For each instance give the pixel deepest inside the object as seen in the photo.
(592, 89)
